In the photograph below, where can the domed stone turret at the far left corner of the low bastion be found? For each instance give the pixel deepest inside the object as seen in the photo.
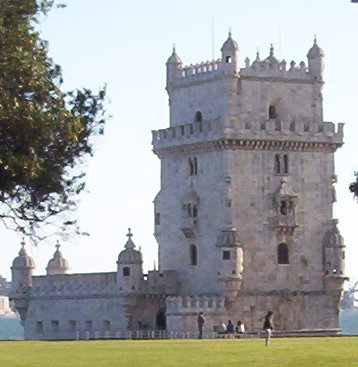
(21, 270)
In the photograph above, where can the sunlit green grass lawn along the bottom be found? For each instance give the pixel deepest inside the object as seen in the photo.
(290, 352)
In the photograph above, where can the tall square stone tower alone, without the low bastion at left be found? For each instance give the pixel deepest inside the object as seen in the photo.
(245, 205)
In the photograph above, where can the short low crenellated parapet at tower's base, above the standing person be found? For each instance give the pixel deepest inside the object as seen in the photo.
(195, 304)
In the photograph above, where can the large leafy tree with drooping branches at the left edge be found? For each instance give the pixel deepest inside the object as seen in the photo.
(44, 132)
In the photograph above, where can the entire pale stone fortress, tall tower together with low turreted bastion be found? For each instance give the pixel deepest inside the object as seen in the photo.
(243, 217)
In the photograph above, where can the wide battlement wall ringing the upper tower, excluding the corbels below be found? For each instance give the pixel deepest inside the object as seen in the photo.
(264, 130)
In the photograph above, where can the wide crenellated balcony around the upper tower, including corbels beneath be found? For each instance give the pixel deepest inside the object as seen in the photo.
(245, 134)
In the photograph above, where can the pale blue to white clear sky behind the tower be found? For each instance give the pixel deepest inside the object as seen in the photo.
(125, 44)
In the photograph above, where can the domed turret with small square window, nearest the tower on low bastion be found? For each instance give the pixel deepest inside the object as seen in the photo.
(129, 269)
